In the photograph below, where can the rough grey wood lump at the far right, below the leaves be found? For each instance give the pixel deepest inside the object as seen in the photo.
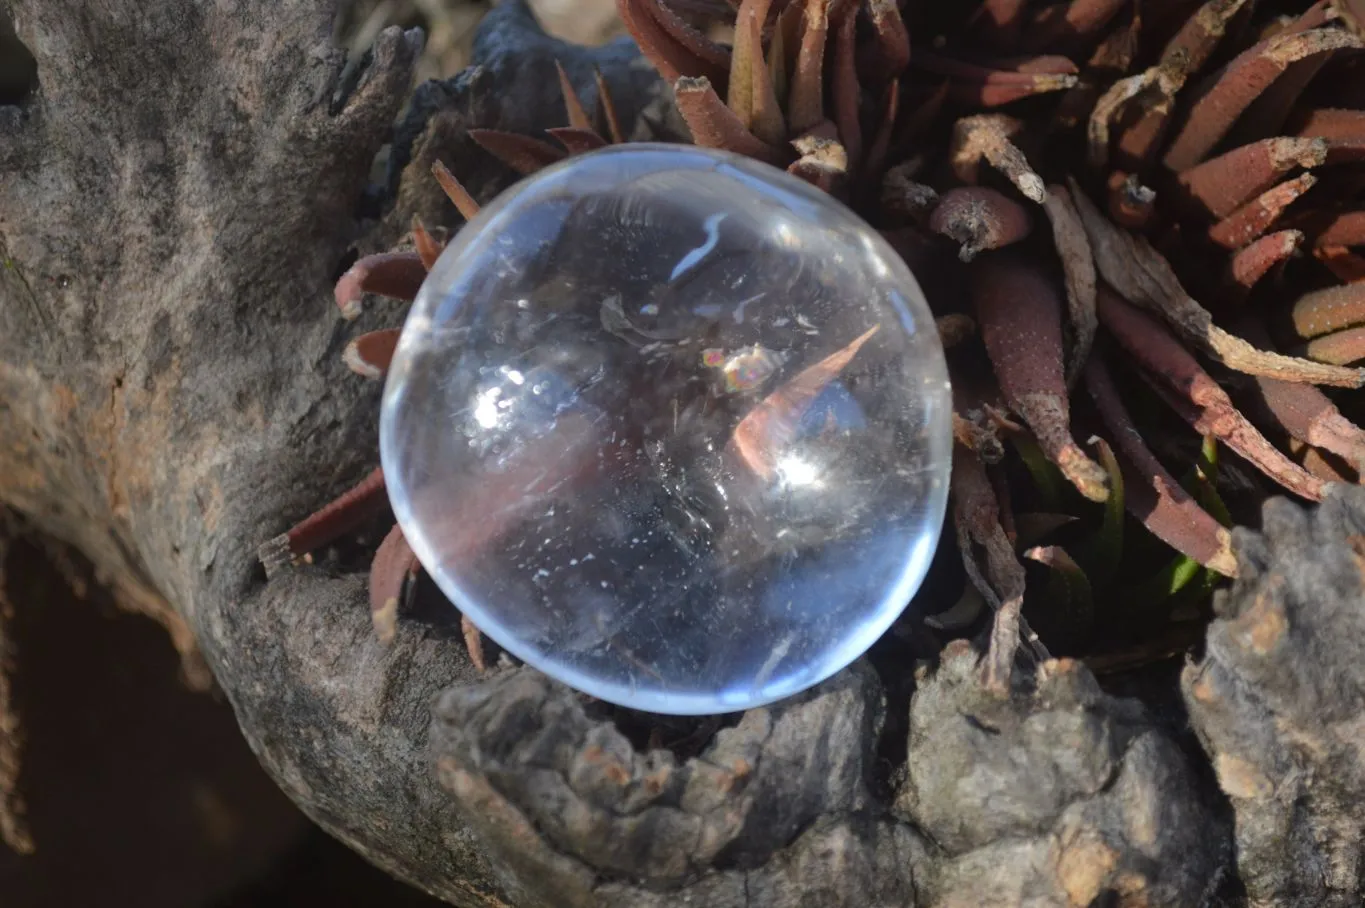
(1277, 701)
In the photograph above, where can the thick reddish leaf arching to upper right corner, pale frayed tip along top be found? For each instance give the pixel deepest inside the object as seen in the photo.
(1240, 84)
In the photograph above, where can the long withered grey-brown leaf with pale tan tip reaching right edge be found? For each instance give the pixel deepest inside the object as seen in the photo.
(1143, 278)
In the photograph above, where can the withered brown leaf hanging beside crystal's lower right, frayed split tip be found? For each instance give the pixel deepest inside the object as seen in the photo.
(1001, 584)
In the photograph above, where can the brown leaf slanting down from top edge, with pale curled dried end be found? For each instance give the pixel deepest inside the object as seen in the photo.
(1184, 55)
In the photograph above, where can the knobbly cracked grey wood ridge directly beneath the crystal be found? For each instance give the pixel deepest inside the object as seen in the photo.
(775, 813)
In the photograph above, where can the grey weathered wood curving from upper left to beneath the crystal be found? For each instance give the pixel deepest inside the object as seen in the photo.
(175, 203)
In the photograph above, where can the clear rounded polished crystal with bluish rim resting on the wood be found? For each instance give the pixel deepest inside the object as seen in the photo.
(674, 428)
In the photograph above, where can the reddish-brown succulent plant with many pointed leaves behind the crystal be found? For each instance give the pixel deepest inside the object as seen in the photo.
(1153, 210)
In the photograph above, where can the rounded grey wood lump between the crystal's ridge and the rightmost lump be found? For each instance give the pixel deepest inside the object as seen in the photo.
(1059, 795)
